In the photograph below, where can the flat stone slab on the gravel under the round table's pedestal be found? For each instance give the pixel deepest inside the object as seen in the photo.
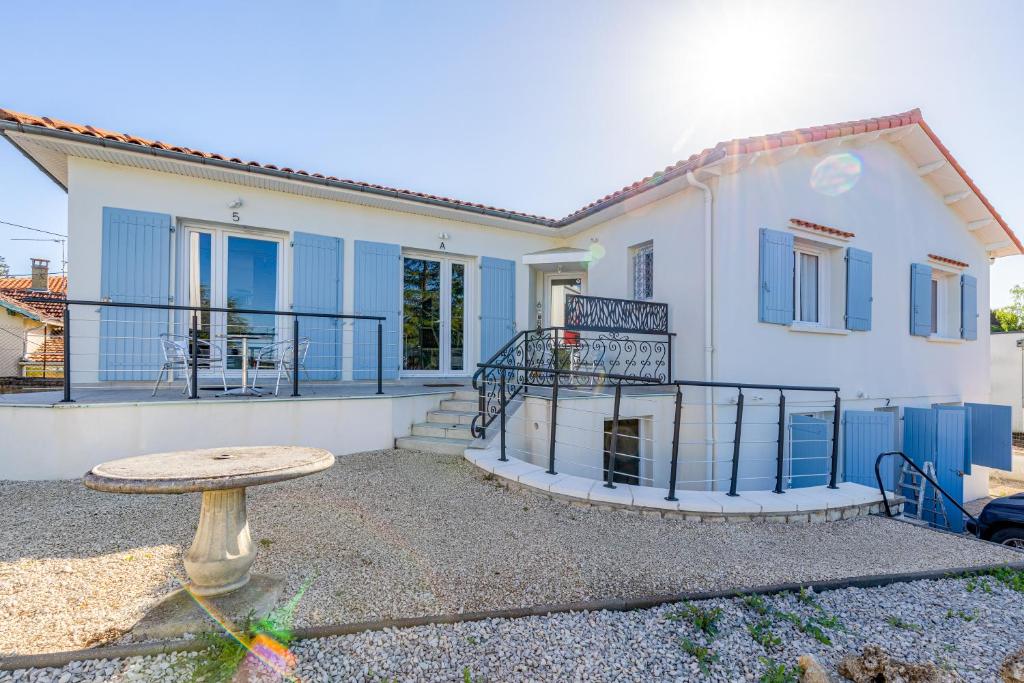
(181, 614)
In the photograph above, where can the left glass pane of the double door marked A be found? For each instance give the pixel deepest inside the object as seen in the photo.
(422, 311)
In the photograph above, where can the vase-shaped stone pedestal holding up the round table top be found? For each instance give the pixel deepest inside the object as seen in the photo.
(223, 552)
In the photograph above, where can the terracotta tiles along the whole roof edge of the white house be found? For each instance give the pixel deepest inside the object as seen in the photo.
(695, 162)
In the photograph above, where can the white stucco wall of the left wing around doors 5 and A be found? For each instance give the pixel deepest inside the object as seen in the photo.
(97, 185)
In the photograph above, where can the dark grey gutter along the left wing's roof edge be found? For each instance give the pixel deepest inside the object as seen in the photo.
(236, 166)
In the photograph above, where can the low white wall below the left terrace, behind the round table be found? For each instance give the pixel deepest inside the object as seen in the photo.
(64, 443)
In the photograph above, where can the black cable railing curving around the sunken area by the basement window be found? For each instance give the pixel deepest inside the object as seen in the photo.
(505, 377)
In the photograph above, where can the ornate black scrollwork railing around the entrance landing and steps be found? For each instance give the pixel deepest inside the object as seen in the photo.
(594, 356)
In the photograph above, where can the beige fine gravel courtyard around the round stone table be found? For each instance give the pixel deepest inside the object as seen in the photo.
(404, 534)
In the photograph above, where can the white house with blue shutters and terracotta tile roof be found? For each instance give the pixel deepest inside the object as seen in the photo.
(852, 255)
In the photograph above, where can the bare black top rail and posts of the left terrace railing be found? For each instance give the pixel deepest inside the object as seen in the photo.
(68, 304)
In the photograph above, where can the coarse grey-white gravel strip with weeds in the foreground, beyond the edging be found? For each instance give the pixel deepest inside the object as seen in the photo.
(966, 627)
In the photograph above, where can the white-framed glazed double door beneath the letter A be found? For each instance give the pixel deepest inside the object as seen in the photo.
(435, 305)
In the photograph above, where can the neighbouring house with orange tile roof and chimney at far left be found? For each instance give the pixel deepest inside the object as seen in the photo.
(31, 332)
